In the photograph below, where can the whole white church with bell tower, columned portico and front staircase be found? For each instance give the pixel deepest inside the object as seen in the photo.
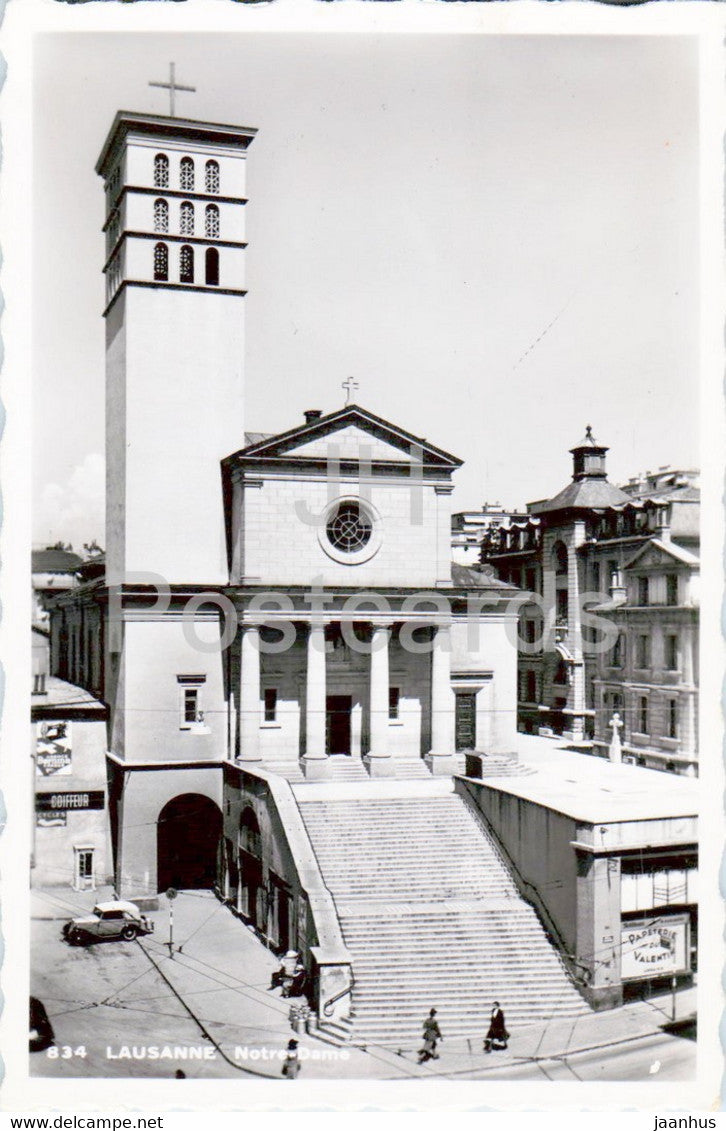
(297, 678)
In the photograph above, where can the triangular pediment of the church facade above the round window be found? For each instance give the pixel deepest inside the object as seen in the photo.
(349, 435)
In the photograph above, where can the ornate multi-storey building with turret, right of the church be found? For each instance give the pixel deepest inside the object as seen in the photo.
(612, 625)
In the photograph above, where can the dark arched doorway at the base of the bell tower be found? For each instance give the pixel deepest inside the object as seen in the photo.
(188, 836)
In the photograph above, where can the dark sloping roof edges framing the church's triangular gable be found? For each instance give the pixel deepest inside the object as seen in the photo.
(284, 444)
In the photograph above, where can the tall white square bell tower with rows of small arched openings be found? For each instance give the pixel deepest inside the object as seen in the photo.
(175, 271)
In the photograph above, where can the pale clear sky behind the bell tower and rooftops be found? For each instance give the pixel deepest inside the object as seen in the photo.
(496, 236)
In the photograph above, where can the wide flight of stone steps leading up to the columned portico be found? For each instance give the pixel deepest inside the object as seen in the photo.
(433, 918)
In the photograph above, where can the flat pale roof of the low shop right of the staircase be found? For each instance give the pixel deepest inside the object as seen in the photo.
(595, 791)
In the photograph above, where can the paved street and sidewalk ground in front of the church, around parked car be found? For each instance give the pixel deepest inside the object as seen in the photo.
(123, 1009)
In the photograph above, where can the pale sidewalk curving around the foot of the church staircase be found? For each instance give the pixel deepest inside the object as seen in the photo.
(223, 971)
